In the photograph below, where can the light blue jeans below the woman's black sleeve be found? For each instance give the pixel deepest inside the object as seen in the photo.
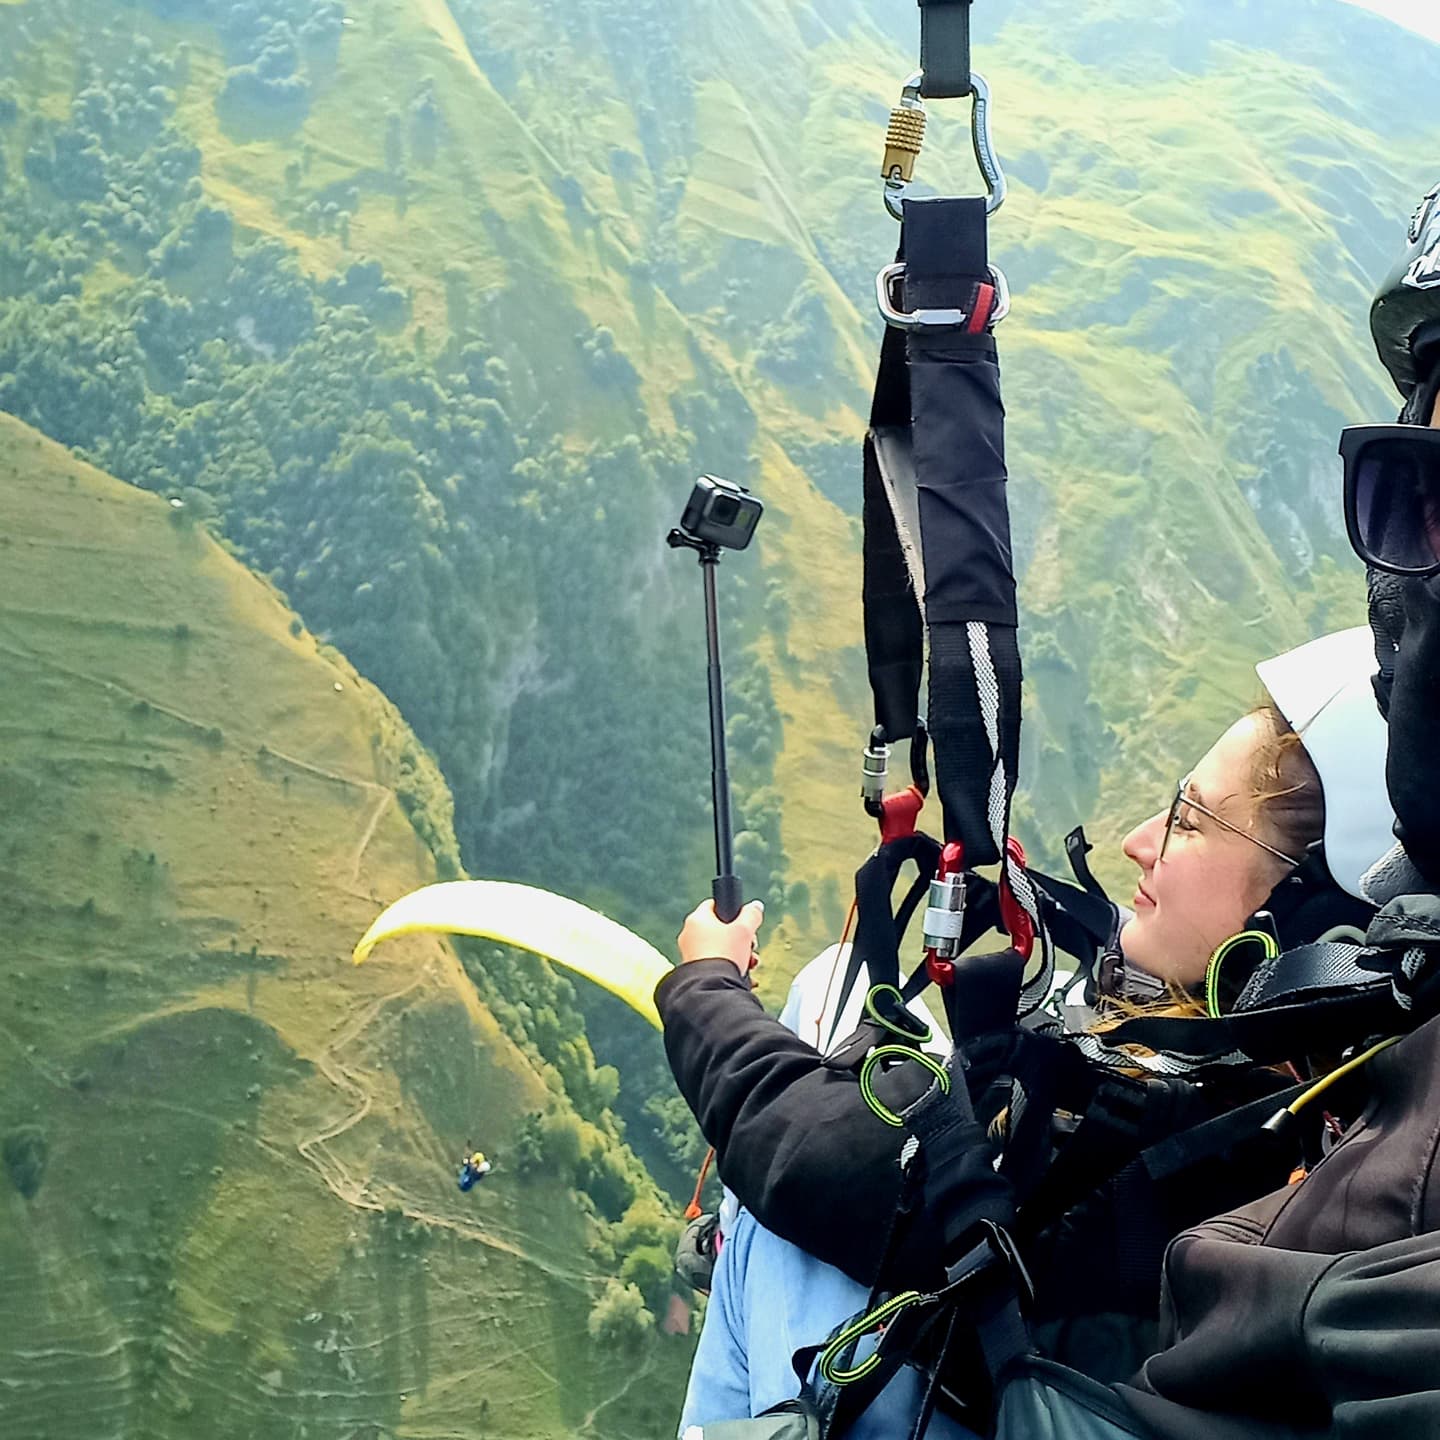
(770, 1300)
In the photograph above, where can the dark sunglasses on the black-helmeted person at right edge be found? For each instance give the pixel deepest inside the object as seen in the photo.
(1393, 496)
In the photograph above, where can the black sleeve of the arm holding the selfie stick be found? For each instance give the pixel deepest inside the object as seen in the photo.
(793, 1138)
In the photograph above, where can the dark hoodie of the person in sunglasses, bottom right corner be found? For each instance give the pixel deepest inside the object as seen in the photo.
(1317, 1311)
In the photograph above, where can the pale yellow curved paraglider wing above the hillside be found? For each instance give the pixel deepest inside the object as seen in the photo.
(548, 925)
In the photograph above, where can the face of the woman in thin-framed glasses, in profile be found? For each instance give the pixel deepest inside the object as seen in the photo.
(1210, 881)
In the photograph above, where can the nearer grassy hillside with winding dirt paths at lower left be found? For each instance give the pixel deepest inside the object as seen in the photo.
(228, 1200)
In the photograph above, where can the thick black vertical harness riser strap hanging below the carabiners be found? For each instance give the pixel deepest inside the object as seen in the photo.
(938, 529)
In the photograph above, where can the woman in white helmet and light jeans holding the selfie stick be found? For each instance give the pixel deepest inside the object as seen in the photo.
(793, 1138)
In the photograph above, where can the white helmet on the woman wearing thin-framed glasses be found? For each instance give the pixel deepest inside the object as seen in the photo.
(1324, 690)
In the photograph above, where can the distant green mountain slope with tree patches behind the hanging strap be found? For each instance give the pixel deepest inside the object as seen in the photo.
(646, 234)
